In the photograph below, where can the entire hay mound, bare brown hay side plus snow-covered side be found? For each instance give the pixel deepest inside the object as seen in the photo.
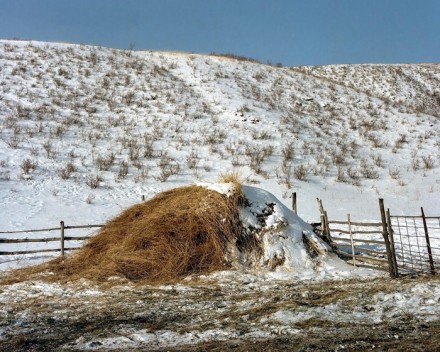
(200, 229)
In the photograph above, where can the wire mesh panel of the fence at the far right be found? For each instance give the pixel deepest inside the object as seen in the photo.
(416, 243)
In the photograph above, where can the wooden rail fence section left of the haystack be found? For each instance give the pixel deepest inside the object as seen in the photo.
(62, 239)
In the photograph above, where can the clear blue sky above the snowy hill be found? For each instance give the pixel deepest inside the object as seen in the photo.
(293, 32)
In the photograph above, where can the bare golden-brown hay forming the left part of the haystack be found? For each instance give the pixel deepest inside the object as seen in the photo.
(177, 233)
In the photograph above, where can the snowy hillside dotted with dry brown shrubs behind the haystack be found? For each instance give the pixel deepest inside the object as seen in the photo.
(87, 131)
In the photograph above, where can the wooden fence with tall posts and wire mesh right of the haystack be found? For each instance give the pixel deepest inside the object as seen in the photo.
(399, 244)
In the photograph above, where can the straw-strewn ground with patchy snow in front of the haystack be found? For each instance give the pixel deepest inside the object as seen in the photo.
(227, 315)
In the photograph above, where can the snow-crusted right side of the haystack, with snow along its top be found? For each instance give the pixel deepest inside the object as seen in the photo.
(271, 238)
